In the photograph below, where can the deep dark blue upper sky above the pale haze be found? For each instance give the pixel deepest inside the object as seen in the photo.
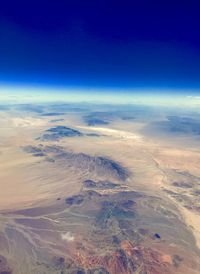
(143, 44)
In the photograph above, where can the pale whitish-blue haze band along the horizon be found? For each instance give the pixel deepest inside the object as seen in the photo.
(188, 99)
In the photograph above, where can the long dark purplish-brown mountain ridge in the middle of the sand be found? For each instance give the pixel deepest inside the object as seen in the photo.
(104, 167)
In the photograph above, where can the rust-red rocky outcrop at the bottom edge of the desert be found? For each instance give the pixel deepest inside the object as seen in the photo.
(128, 259)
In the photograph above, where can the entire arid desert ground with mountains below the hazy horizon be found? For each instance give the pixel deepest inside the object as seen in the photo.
(91, 189)
